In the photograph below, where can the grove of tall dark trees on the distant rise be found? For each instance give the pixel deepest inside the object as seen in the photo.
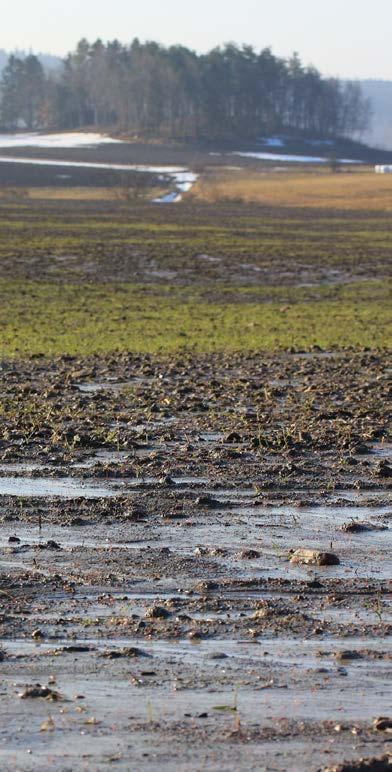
(150, 90)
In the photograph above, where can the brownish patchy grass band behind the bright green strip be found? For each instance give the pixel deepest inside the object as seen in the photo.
(106, 240)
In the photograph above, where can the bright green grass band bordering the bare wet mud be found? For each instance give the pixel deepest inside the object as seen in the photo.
(82, 319)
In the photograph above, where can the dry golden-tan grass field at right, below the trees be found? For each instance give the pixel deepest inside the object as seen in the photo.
(356, 190)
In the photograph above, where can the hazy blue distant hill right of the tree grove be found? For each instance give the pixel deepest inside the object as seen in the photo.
(380, 94)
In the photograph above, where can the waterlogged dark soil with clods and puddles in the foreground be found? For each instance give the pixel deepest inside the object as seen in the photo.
(150, 612)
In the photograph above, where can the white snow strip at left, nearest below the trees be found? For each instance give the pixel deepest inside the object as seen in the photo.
(65, 140)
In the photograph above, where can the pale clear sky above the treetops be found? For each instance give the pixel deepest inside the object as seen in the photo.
(346, 38)
